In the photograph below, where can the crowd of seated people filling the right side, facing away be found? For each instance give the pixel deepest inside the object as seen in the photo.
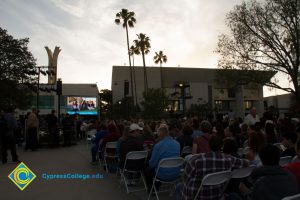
(215, 147)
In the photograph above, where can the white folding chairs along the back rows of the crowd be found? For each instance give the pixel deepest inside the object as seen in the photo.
(210, 179)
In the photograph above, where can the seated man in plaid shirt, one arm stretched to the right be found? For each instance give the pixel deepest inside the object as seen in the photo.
(205, 163)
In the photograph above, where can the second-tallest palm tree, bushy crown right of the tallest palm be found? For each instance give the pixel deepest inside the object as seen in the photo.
(143, 46)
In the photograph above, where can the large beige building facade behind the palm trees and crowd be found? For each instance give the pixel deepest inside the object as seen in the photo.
(201, 86)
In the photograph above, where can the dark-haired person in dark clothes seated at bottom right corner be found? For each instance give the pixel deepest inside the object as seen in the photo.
(271, 181)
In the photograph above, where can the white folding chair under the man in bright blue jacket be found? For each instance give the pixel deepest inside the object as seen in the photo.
(166, 163)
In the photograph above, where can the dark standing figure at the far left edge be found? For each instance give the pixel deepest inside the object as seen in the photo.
(8, 140)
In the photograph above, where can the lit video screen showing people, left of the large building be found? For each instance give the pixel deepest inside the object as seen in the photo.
(82, 105)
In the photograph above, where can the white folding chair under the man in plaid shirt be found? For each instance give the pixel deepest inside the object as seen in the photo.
(212, 179)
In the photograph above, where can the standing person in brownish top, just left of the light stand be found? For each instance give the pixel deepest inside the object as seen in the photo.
(32, 128)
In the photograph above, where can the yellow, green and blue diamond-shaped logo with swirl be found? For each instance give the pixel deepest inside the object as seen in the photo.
(22, 176)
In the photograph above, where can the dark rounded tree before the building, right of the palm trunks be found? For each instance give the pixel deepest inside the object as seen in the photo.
(154, 103)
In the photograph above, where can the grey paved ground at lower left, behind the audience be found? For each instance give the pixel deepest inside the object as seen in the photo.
(74, 159)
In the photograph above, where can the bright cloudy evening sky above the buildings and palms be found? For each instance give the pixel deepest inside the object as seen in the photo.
(185, 30)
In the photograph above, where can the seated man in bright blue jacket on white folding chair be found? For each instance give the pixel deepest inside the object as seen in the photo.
(167, 147)
